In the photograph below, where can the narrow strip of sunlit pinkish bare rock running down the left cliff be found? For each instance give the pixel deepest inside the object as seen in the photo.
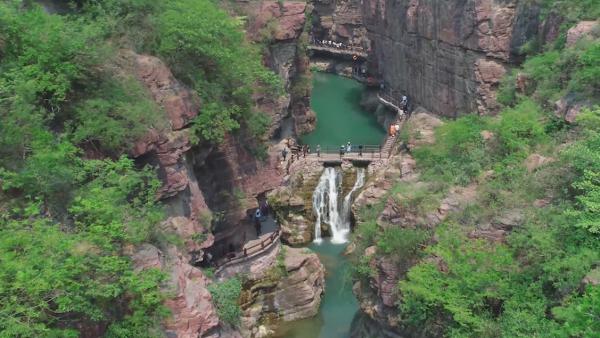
(192, 312)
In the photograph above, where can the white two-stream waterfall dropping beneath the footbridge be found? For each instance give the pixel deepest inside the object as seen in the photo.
(326, 203)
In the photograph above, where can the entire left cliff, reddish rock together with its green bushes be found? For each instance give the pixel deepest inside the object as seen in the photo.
(110, 111)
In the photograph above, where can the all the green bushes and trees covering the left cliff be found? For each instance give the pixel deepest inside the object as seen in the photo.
(72, 209)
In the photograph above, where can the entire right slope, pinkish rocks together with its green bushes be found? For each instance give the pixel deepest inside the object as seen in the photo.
(490, 227)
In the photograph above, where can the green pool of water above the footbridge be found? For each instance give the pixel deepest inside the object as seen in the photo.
(340, 118)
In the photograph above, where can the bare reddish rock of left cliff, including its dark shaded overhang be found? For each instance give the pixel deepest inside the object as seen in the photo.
(193, 177)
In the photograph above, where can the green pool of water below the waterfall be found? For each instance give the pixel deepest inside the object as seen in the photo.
(338, 305)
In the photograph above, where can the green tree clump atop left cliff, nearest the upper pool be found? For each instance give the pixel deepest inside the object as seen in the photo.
(207, 50)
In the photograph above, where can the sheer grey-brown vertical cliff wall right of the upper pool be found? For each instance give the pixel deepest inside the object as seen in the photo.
(448, 56)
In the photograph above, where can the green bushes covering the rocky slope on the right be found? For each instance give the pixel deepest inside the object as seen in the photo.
(529, 284)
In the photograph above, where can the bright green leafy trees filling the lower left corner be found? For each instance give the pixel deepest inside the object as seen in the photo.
(51, 276)
